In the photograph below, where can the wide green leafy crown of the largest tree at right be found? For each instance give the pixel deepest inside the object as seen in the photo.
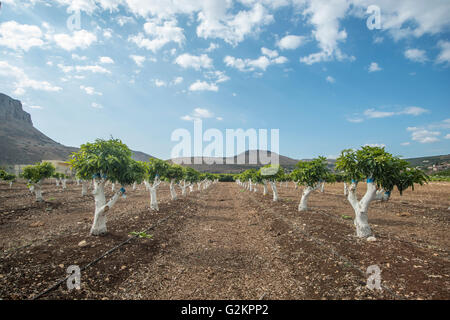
(382, 167)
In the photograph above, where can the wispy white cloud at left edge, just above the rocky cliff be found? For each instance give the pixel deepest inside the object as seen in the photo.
(22, 81)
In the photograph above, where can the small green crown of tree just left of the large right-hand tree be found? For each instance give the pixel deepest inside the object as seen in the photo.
(310, 173)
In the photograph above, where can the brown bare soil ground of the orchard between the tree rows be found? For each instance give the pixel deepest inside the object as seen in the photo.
(225, 243)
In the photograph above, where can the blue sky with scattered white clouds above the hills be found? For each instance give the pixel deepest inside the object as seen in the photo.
(138, 70)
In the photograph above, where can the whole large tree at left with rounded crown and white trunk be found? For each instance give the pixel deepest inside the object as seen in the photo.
(102, 161)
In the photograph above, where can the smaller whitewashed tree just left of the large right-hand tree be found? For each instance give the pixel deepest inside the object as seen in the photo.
(310, 174)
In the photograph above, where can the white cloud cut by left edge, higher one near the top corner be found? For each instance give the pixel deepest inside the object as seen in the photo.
(20, 36)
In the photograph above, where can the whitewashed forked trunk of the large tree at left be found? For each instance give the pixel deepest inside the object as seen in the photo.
(101, 208)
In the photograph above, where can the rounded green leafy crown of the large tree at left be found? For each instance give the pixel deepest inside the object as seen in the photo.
(107, 159)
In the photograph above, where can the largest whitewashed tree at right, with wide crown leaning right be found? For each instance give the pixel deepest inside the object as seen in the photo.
(382, 172)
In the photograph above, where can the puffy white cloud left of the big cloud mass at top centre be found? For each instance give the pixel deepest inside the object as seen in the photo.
(160, 35)
